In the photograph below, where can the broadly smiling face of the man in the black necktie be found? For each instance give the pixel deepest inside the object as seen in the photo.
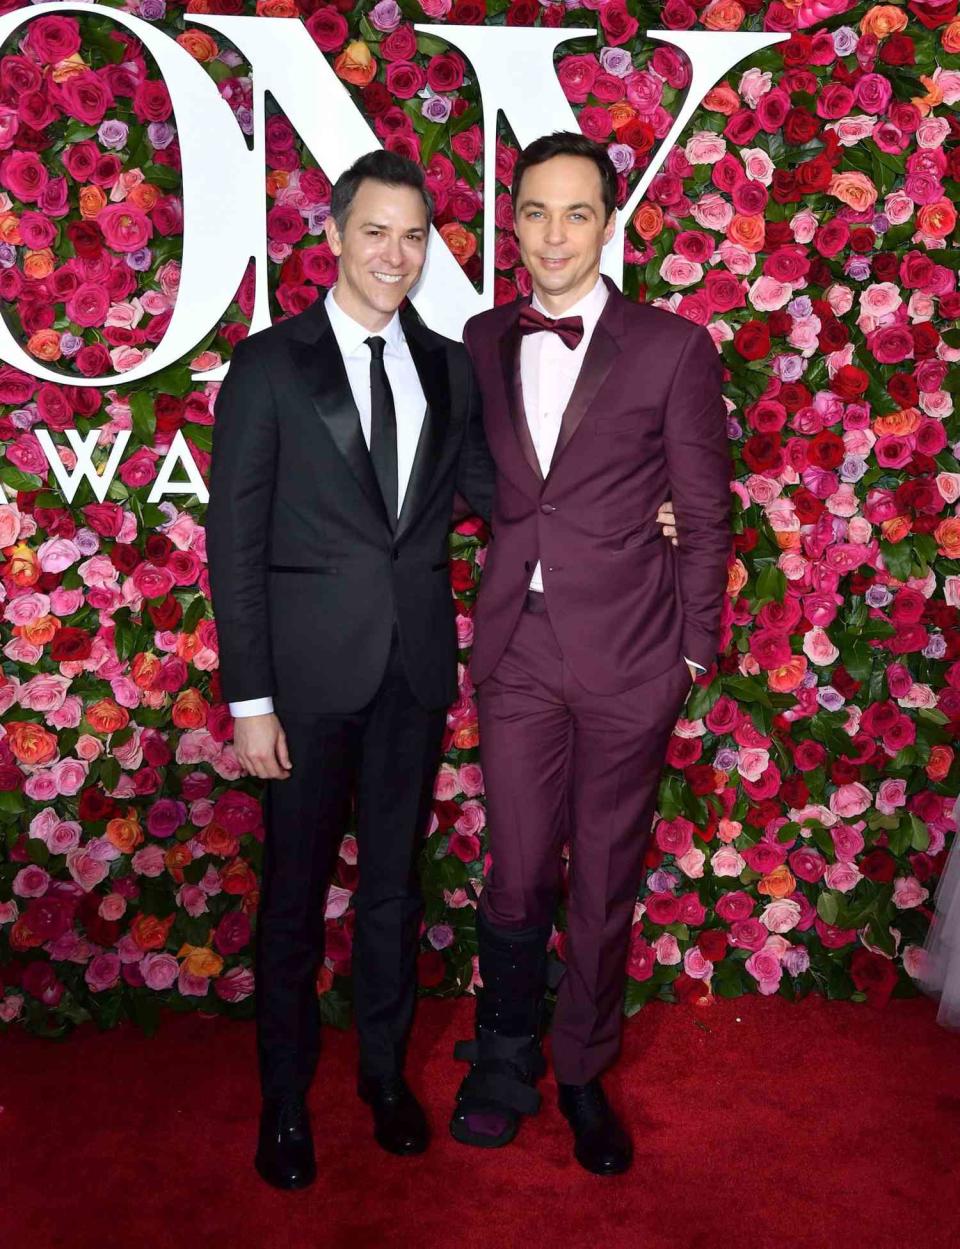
(381, 250)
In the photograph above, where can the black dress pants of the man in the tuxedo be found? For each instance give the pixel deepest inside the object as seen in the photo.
(384, 758)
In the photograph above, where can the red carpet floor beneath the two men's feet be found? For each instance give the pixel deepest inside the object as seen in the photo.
(758, 1126)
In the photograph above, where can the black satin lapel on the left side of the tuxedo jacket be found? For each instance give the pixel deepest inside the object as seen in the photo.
(323, 365)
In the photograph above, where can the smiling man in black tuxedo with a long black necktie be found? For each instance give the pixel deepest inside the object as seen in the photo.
(341, 438)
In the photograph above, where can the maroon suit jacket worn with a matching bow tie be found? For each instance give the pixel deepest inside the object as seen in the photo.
(646, 422)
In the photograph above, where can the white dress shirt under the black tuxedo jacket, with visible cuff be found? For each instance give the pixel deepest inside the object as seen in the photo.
(409, 402)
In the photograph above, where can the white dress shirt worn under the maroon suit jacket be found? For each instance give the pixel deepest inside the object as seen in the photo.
(549, 374)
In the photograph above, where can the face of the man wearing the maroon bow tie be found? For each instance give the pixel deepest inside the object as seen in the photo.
(562, 227)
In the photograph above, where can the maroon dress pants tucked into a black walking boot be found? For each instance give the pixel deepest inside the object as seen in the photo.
(565, 765)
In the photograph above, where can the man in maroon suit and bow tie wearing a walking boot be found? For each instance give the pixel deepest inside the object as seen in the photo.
(590, 630)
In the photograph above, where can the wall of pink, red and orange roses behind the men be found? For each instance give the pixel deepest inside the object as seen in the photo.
(807, 218)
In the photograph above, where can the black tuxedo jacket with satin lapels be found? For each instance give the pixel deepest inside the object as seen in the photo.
(306, 575)
